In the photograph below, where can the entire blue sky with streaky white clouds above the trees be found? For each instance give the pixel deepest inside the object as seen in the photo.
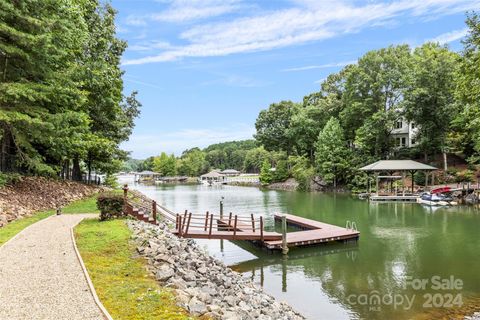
(205, 68)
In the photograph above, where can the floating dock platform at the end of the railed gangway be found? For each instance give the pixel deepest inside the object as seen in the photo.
(314, 232)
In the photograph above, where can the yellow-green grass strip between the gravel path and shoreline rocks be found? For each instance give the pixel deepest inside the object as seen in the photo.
(120, 279)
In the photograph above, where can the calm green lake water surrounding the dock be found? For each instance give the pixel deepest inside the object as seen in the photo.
(400, 244)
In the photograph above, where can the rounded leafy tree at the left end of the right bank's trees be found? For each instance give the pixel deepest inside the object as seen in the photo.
(273, 124)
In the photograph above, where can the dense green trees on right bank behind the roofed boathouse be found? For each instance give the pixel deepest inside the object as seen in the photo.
(348, 123)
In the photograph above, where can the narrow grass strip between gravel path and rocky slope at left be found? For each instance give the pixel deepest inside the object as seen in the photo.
(87, 205)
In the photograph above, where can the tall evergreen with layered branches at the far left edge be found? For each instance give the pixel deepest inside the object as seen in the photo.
(41, 43)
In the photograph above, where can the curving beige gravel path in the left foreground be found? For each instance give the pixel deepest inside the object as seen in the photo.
(41, 277)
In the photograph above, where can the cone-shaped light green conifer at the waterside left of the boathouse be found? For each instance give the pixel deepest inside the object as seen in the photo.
(332, 153)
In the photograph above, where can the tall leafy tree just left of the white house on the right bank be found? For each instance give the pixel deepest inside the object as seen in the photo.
(373, 96)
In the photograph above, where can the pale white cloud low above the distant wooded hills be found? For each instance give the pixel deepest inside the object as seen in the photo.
(143, 146)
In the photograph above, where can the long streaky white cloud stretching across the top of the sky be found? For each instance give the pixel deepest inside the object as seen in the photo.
(311, 21)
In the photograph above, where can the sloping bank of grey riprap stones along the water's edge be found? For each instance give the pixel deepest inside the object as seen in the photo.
(204, 286)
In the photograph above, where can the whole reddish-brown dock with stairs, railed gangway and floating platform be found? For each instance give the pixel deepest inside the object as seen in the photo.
(241, 227)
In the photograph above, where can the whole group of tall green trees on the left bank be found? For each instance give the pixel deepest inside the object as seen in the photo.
(62, 110)
